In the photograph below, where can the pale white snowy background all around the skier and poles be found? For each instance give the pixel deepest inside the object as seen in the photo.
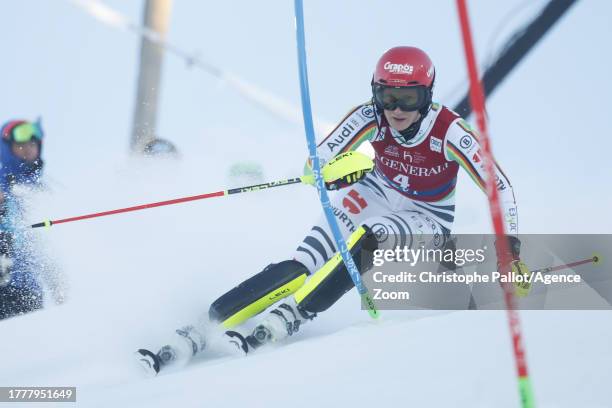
(133, 278)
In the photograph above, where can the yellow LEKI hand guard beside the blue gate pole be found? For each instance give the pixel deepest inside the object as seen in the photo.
(343, 170)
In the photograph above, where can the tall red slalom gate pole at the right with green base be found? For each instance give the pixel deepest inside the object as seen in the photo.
(478, 105)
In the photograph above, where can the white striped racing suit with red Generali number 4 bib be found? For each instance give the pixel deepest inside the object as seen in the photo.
(409, 197)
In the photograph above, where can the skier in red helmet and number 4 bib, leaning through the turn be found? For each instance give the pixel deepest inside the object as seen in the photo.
(407, 200)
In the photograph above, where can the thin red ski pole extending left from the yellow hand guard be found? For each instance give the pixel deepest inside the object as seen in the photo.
(222, 193)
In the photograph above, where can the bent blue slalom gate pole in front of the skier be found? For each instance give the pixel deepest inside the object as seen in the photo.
(316, 165)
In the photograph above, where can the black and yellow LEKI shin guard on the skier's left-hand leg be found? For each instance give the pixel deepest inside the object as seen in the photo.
(255, 294)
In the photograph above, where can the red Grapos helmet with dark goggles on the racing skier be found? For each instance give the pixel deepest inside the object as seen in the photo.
(404, 78)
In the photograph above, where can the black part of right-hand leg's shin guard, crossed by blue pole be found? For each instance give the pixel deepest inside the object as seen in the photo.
(338, 281)
